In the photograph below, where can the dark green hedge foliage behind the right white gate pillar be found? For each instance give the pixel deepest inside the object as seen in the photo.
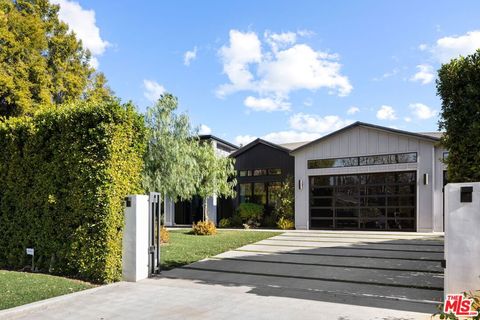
(459, 87)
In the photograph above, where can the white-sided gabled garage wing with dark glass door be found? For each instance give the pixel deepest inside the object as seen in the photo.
(368, 177)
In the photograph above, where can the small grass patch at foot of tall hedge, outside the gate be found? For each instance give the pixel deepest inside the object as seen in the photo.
(18, 288)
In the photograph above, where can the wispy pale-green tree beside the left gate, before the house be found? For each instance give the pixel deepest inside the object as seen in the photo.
(177, 163)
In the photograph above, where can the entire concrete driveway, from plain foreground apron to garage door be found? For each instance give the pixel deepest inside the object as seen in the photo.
(299, 274)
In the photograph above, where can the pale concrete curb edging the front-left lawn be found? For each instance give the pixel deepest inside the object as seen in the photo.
(22, 310)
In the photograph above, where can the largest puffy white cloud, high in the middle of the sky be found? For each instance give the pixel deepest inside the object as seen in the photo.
(285, 67)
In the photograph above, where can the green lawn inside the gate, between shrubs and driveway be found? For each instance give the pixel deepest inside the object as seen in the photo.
(184, 248)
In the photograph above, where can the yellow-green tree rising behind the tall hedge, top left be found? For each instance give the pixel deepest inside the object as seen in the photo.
(42, 63)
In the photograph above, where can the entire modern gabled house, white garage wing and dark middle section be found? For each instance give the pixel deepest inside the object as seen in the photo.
(361, 177)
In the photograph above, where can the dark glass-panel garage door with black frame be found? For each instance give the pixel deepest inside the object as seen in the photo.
(374, 201)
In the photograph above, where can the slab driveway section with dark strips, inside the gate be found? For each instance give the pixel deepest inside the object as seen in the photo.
(399, 271)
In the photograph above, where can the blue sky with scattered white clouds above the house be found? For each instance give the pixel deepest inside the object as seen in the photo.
(282, 70)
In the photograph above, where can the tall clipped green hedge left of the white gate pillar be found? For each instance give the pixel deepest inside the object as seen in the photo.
(63, 178)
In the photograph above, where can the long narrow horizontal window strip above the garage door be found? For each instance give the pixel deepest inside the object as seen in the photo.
(410, 157)
